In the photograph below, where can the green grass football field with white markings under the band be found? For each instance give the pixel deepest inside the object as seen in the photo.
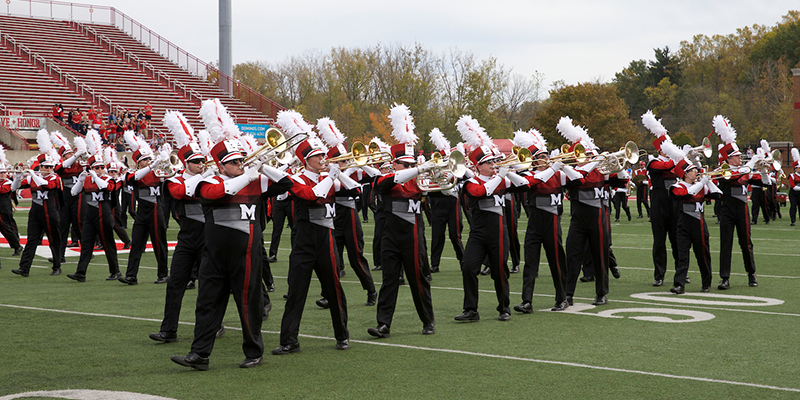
(57, 334)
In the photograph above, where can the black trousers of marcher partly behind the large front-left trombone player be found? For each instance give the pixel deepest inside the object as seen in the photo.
(187, 254)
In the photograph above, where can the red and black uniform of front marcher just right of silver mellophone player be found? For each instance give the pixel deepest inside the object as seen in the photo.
(488, 238)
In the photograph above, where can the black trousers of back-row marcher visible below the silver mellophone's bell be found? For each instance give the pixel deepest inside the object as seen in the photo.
(445, 215)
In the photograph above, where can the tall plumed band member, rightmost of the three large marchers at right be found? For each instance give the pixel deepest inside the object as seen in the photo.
(733, 213)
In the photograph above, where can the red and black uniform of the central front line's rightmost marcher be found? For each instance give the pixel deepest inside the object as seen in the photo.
(588, 224)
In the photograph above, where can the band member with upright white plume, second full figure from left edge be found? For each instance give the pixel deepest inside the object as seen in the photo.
(98, 217)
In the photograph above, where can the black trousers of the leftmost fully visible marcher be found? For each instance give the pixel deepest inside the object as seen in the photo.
(42, 220)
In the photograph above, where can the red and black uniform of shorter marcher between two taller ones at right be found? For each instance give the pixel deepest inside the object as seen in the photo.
(692, 232)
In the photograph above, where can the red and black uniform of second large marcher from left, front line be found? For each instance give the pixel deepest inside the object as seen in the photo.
(314, 249)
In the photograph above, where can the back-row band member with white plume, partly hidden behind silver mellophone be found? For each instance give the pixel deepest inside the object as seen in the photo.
(445, 212)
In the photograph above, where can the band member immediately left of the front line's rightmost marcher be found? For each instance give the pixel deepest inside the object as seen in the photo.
(544, 222)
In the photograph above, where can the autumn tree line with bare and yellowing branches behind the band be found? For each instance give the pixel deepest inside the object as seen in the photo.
(745, 76)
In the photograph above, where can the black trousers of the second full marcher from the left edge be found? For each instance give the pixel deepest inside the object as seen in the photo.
(98, 222)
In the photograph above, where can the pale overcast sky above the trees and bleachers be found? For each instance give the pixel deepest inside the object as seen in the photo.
(574, 41)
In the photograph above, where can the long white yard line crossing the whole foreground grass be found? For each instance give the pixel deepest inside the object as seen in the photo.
(450, 351)
